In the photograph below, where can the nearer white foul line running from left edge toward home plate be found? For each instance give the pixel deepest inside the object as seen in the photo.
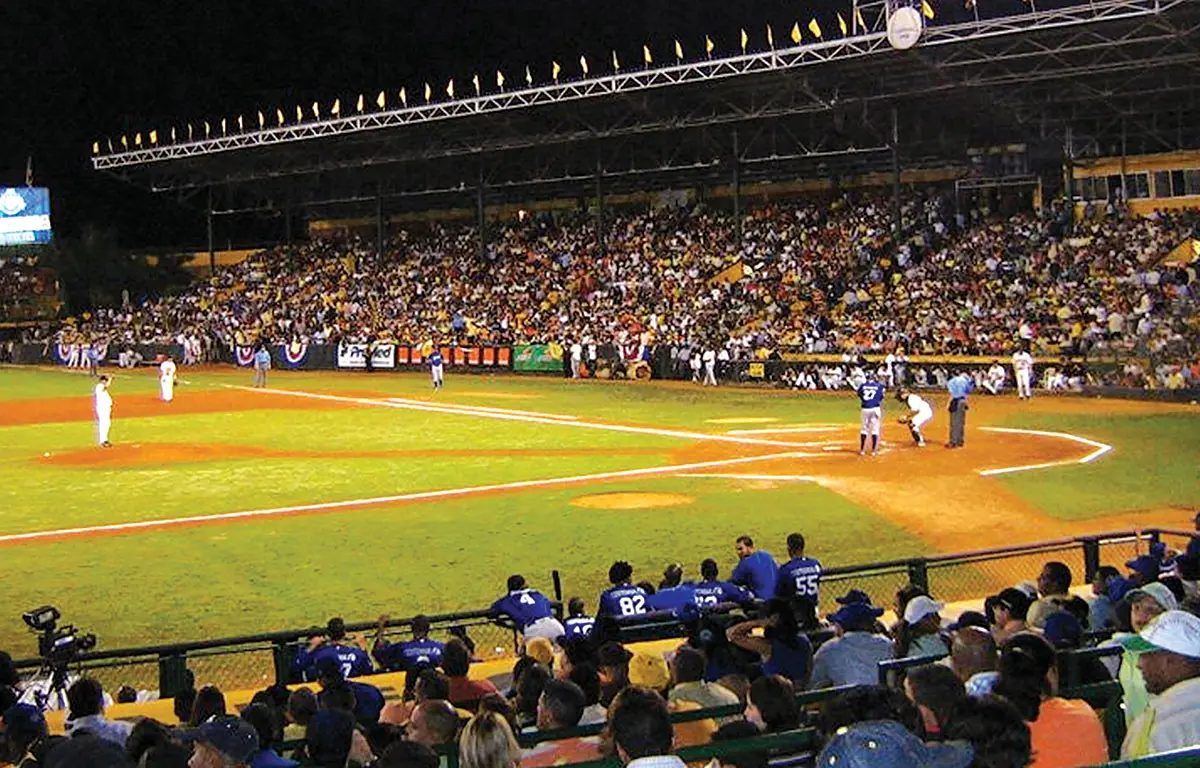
(422, 496)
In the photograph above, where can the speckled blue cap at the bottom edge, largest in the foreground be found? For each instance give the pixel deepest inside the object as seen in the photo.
(878, 743)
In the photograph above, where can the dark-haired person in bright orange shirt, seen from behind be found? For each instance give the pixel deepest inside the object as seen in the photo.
(1064, 733)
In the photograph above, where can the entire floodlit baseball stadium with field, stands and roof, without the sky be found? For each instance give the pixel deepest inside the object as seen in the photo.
(901, 299)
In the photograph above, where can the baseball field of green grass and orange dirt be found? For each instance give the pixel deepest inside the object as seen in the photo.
(219, 451)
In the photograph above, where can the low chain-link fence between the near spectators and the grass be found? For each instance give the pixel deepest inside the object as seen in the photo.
(259, 661)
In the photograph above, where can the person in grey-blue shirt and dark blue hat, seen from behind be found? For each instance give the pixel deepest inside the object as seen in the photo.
(851, 658)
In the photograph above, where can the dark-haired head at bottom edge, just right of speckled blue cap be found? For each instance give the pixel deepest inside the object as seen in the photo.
(994, 729)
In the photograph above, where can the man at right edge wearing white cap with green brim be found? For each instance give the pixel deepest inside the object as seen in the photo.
(1169, 658)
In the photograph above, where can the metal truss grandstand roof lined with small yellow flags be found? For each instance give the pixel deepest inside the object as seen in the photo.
(1084, 79)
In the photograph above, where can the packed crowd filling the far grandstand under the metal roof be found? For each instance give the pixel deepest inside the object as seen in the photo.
(812, 275)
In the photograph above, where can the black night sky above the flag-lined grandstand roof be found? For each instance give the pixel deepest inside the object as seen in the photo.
(77, 71)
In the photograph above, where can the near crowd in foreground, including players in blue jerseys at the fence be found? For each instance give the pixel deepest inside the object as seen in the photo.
(983, 691)
